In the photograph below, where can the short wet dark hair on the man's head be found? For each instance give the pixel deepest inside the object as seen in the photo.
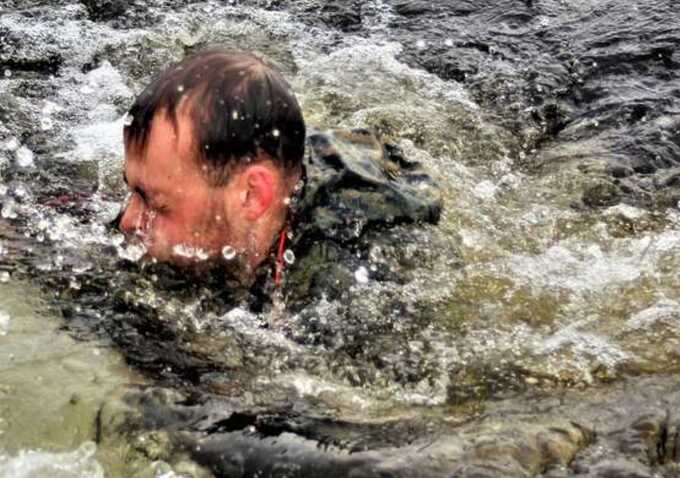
(238, 106)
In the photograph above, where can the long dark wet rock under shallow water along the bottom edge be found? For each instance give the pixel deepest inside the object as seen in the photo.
(625, 430)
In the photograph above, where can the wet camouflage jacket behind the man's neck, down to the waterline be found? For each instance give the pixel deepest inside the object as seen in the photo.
(360, 191)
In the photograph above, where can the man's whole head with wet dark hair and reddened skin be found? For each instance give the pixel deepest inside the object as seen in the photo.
(212, 152)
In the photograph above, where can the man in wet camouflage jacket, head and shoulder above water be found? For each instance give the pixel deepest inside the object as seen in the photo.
(214, 163)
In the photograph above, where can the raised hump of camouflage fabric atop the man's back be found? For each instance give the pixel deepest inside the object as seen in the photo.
(354, 180)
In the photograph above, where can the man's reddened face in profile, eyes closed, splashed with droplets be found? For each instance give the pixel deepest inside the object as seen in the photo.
(172, 209)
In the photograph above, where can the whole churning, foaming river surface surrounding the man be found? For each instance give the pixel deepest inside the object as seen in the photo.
(538, 333)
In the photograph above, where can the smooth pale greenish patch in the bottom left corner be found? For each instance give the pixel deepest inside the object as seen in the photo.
(51, 389)
